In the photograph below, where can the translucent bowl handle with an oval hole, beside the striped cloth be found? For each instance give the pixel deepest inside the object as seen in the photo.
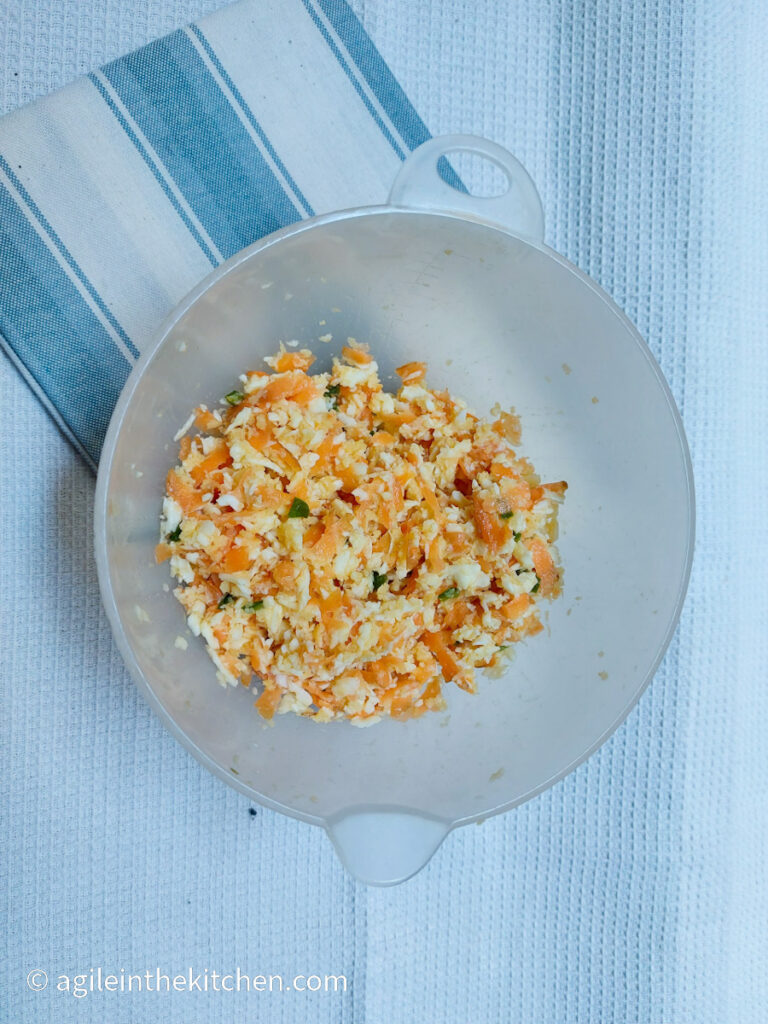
(420, 187)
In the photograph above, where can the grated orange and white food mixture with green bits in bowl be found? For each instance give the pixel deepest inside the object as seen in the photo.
(355, 550)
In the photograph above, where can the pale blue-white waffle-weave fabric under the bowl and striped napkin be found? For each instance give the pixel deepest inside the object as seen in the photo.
(634, 892)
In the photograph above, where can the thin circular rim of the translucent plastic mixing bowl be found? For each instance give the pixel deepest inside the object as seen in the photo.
(115, 429)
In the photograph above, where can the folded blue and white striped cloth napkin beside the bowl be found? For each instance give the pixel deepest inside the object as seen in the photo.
(119, 193)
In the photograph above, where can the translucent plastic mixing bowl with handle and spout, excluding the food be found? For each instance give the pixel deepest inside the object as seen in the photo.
(467, 285)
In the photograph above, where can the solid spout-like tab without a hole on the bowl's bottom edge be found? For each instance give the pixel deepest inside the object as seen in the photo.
(386, 847)
